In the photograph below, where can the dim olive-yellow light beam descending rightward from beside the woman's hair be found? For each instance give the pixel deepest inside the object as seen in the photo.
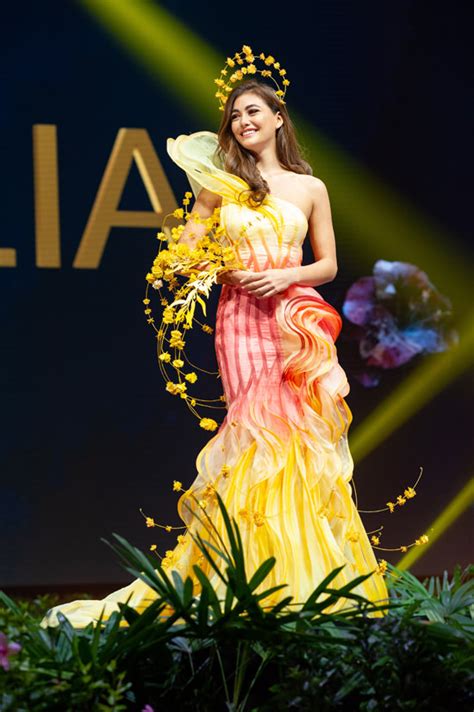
(382, 223)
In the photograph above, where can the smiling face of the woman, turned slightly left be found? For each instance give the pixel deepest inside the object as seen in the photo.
(253, 123)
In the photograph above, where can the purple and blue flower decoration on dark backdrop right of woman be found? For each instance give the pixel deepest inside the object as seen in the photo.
(397, 313)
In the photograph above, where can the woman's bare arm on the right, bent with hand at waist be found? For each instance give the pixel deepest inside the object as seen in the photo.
(323, 243)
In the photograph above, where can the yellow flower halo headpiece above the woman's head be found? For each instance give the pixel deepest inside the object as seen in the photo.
(245, 61)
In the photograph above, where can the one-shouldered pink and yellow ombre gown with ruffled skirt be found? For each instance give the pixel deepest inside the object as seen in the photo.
(280, 460)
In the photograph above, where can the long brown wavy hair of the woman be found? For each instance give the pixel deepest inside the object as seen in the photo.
(242, 162)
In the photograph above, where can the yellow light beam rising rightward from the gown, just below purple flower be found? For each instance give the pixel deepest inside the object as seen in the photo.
(429, 378)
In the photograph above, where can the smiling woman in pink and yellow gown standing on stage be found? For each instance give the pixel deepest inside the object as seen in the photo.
(280, 460)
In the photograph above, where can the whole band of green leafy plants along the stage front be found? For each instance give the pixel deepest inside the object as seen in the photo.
(242, 653)
